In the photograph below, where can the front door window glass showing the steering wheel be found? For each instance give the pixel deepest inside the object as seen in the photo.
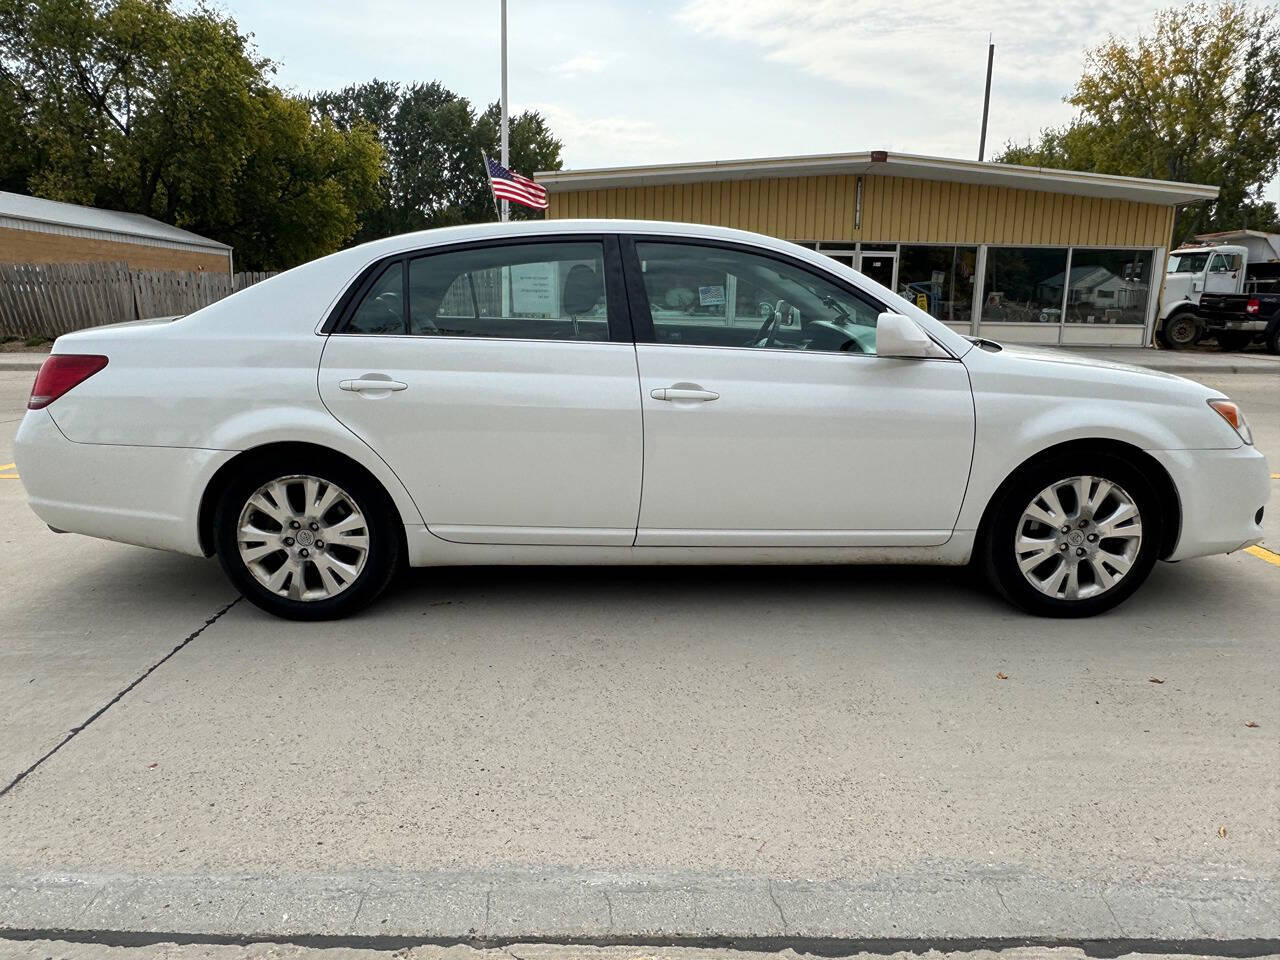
(725, 298)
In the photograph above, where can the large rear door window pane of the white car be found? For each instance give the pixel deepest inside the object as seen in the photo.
(523, 291)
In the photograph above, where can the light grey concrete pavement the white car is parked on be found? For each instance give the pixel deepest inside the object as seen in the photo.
(605, 752)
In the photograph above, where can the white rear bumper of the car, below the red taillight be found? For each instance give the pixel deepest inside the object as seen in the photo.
(145, 496)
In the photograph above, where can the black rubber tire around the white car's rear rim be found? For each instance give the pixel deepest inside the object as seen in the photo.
(382, 528)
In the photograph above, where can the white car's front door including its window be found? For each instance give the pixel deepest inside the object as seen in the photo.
(770, 422)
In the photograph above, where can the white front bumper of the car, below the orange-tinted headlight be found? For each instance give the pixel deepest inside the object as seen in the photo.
(1220, 493)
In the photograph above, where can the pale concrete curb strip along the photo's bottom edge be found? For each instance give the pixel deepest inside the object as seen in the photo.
(597, 907)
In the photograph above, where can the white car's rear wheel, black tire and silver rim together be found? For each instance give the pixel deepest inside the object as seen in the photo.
(308, 541)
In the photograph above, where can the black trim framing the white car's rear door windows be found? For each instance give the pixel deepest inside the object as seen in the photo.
(618, 314)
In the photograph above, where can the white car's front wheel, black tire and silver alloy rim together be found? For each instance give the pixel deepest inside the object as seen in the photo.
(1075, 536)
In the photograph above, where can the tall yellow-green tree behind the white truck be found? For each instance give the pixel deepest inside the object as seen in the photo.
(1197, 100)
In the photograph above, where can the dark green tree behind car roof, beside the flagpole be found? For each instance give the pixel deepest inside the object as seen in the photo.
(435, 141)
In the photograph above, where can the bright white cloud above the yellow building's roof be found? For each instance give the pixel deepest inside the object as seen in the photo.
(927, 61)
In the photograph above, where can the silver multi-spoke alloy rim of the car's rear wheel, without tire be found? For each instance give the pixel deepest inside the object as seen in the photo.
(303, 538)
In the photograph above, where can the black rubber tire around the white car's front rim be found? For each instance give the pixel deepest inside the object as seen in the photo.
(1000, 557)
